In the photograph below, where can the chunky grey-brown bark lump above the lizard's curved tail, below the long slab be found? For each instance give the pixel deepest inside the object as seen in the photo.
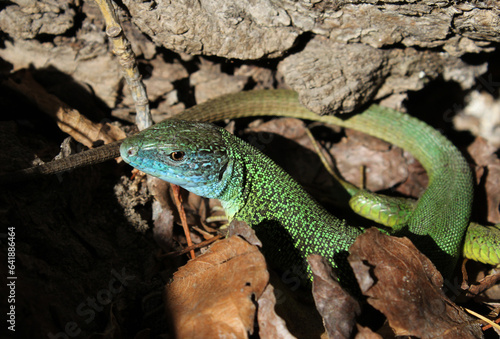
(333, 77)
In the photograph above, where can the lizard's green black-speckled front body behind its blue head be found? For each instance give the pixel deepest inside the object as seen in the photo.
(285, 217)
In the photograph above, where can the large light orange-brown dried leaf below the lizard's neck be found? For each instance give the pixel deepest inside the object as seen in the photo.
(212, 295)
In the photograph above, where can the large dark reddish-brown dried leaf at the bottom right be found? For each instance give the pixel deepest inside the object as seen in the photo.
(407, 288)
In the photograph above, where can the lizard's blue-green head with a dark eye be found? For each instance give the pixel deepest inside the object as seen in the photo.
(192, 155)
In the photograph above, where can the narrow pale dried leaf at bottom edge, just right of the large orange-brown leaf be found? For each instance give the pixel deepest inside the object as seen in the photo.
(270, 324)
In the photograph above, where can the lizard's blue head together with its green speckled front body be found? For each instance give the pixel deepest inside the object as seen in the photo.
(250, 186)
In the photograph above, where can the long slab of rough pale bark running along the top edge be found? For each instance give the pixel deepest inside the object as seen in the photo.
(253, 29)
